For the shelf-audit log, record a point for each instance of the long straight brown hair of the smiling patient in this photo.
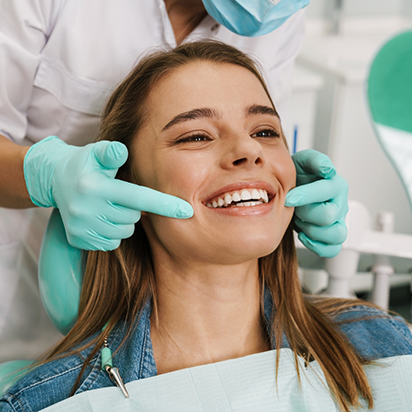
(117, 284)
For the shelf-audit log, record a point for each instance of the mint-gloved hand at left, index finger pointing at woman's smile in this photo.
(97, 210)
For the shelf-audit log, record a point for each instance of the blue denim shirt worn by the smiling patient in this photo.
(377, 336)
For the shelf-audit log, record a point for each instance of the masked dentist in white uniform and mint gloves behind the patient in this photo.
(59, 62)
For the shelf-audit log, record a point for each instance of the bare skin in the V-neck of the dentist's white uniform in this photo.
(184, 16)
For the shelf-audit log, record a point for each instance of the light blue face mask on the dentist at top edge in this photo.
(252, 17)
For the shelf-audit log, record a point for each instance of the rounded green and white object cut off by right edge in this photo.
(389, 95)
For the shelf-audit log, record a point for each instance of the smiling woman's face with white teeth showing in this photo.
(212, 138)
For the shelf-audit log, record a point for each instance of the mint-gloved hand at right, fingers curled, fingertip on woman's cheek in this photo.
(321, 202)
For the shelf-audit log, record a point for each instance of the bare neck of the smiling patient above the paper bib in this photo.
(208, 315)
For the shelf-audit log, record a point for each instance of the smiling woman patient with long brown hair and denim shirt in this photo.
(199, 124)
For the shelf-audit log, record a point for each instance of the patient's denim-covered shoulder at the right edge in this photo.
(374, 333)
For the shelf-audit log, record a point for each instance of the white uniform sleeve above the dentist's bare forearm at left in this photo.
(24, 29)
